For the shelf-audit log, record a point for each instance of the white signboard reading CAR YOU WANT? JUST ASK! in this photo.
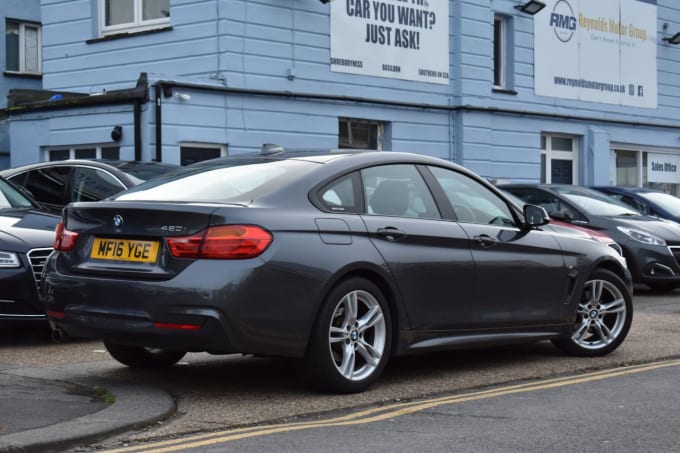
(400, 39)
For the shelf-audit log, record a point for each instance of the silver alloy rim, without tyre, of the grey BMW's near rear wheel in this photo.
(357, 335)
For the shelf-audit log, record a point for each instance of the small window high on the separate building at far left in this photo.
(22, 47)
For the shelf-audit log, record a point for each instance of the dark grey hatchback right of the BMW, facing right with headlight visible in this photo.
(651, 246)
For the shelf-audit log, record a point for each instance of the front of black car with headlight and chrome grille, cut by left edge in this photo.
(26, 238)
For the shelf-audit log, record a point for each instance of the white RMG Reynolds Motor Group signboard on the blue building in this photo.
(598, 51)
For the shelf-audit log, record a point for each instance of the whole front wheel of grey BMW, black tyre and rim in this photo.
(603, 316)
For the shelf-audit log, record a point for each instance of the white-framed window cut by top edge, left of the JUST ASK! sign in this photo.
(118, 16)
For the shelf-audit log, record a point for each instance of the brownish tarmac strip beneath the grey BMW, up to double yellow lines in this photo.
(222, 392)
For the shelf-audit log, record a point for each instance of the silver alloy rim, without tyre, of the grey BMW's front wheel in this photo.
(601, 315)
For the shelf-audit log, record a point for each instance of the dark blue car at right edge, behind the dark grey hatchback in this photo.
(647, 201)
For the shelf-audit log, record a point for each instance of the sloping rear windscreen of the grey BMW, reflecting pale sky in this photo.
(223, 184)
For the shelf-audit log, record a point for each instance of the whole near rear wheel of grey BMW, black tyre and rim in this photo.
(351, 340)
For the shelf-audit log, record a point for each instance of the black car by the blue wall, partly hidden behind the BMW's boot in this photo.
(55, 184)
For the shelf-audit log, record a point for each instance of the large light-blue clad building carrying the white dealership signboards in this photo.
(580, 92)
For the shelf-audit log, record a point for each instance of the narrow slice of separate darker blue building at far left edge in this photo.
(20, 52)
